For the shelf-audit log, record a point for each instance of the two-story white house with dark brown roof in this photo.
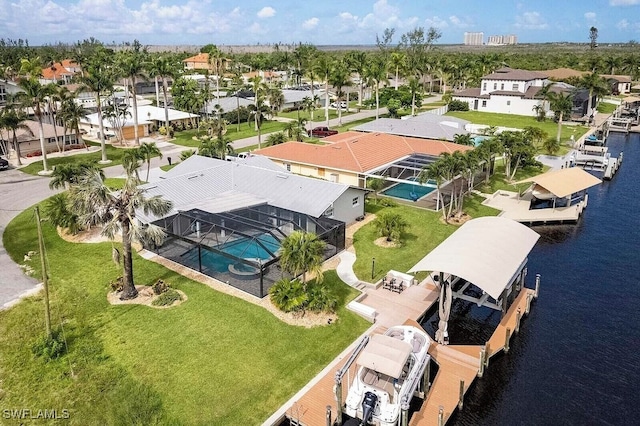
(506, 91)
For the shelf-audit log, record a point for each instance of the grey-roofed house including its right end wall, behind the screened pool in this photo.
(218, 186)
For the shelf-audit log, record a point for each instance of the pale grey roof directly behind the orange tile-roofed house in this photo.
(425, 126)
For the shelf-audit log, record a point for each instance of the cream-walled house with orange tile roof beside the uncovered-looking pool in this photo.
(353, 157)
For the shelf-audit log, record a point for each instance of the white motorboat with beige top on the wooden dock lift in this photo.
(390, 367)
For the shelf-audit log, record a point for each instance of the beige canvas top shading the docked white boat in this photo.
(385, 354)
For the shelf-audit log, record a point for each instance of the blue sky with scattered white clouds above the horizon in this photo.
(312, 21)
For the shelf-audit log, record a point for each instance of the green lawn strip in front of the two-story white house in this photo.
(520, 122)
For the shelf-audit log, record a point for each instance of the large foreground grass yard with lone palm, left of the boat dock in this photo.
(215, 359)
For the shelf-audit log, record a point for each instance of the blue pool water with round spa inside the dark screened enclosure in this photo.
(242, 248)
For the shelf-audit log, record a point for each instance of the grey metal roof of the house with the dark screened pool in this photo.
(200, 178)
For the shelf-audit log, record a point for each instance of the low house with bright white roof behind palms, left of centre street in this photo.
(150, 118)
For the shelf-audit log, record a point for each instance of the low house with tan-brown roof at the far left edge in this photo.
(30, 144)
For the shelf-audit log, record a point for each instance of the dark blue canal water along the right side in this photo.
(576, 360)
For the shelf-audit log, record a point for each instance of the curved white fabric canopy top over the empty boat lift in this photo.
(487, 252)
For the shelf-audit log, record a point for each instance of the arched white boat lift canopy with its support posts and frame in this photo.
(488, 252)
